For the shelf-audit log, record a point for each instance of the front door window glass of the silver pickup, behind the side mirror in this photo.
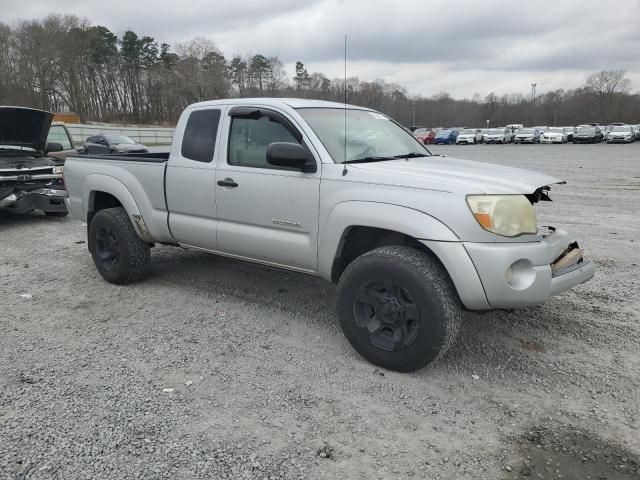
(250, 137)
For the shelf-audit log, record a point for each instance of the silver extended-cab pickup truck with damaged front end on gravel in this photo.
(342, 192)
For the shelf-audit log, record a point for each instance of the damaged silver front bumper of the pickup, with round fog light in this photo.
(510, 275)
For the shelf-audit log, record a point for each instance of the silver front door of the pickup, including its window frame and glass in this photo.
(266, 213)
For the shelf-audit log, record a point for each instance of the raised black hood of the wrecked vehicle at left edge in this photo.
(24, 127)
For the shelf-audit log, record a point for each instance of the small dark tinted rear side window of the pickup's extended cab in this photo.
(199, 139)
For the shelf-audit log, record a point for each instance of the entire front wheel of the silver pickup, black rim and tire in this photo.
(398, 308)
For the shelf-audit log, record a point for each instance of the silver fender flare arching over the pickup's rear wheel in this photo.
(97, 182)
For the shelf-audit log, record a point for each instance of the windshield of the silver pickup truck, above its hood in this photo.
(368, 134)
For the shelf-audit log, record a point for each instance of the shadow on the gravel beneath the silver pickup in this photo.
(499, 344)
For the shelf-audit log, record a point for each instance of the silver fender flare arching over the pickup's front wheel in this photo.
(398, 218)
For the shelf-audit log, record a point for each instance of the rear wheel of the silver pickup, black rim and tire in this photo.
(120, 255)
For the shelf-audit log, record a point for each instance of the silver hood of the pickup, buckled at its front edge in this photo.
(452, 174)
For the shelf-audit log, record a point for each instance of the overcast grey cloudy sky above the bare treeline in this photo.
(461, 47)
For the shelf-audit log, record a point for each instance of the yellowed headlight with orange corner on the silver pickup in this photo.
(506, 215)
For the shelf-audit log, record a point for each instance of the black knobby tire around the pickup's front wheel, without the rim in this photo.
(431, 289)
